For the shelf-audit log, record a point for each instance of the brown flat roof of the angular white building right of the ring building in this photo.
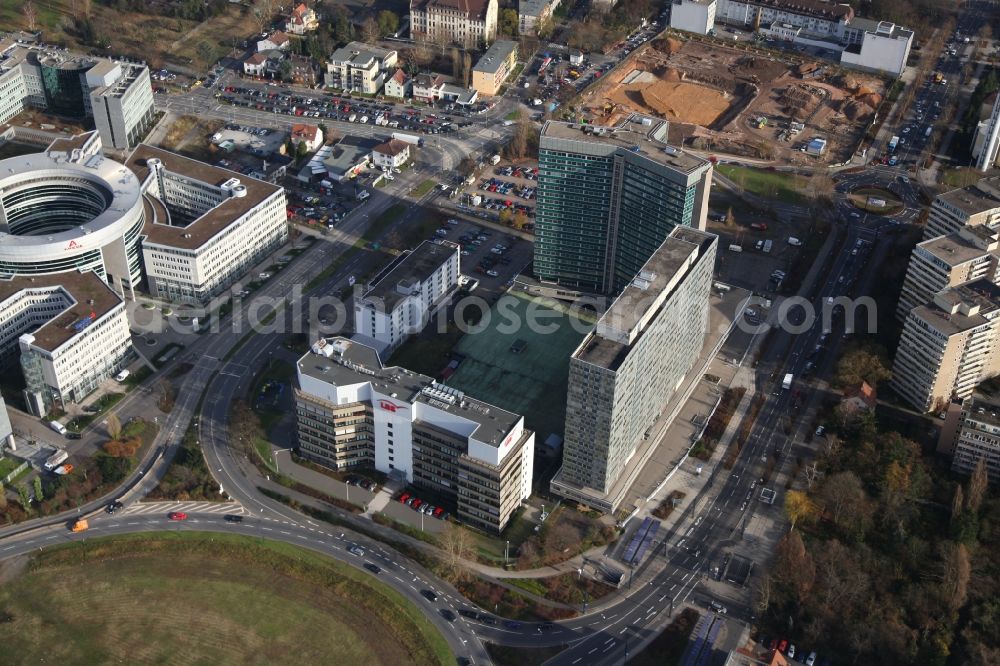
(215, 220)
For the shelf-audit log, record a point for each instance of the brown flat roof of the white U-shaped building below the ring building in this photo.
(91, 295)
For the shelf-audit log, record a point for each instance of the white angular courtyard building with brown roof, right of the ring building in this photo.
(205, 226)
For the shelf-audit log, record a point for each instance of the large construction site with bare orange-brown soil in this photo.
(740, 101)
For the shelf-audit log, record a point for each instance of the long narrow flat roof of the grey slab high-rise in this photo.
(632, 310)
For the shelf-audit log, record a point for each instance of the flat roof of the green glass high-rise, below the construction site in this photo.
(648, 141)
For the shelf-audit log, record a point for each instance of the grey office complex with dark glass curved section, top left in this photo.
(117, 95)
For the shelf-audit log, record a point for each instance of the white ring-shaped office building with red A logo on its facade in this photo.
(69, 209)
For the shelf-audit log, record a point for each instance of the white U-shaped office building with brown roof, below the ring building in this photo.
(71, 331)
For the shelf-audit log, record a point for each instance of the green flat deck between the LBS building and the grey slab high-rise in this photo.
(518, 367)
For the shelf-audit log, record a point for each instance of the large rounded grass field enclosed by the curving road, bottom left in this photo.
(187, 597)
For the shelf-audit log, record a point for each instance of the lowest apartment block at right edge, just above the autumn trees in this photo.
(971, 432)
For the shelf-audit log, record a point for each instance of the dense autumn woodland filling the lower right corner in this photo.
(888, 557)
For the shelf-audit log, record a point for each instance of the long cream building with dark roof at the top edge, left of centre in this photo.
(469, 23)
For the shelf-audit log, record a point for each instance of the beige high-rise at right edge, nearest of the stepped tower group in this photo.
(949, 345)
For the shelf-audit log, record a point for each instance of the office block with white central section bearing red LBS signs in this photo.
(354, 412)
